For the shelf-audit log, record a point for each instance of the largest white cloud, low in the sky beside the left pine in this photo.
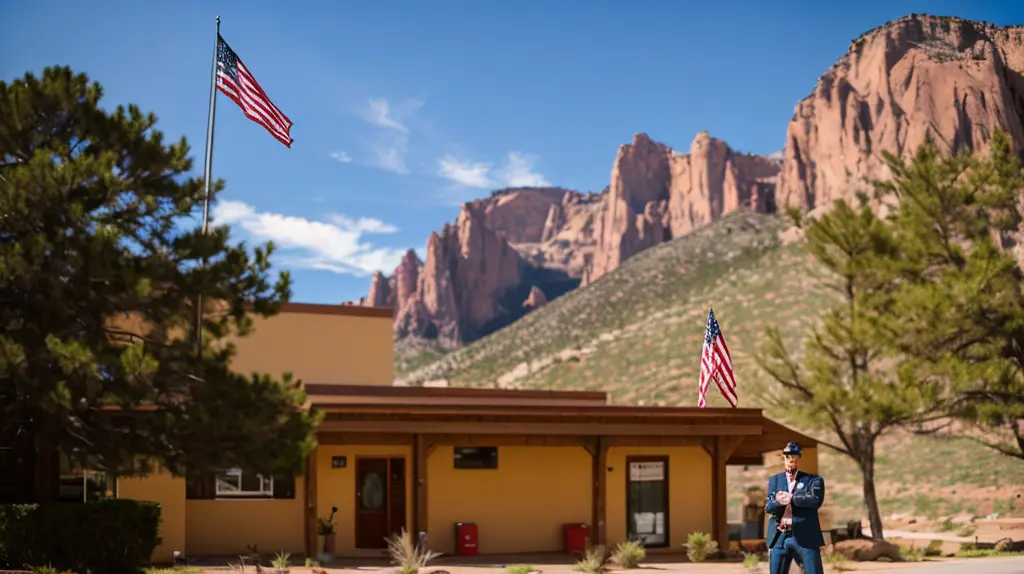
(336, 245)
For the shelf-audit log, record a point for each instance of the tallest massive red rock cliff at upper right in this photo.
(954, 79)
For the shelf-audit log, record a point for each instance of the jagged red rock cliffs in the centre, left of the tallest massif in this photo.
(542, 243)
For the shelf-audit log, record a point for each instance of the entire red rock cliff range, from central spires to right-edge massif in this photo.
(952, 79)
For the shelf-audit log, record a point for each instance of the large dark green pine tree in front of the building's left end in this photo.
(101, 269)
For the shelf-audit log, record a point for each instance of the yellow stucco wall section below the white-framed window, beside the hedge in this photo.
(228, 527)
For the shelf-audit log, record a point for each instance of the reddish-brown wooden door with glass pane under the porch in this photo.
(372, 518)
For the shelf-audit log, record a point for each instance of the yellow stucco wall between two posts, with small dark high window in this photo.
(520, 507)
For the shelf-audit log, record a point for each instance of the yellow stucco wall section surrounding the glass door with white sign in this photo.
(690, 492)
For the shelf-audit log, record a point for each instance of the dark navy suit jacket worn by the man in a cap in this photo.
(808, 495)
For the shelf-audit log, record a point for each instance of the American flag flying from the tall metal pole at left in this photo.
(235, 81)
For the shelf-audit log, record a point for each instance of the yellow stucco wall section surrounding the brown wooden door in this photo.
(336, 488)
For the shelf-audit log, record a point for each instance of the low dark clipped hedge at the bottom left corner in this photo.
(115, 537)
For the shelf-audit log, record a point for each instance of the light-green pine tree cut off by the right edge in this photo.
(960, 311)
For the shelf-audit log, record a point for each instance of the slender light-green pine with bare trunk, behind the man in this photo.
(848, 383)
